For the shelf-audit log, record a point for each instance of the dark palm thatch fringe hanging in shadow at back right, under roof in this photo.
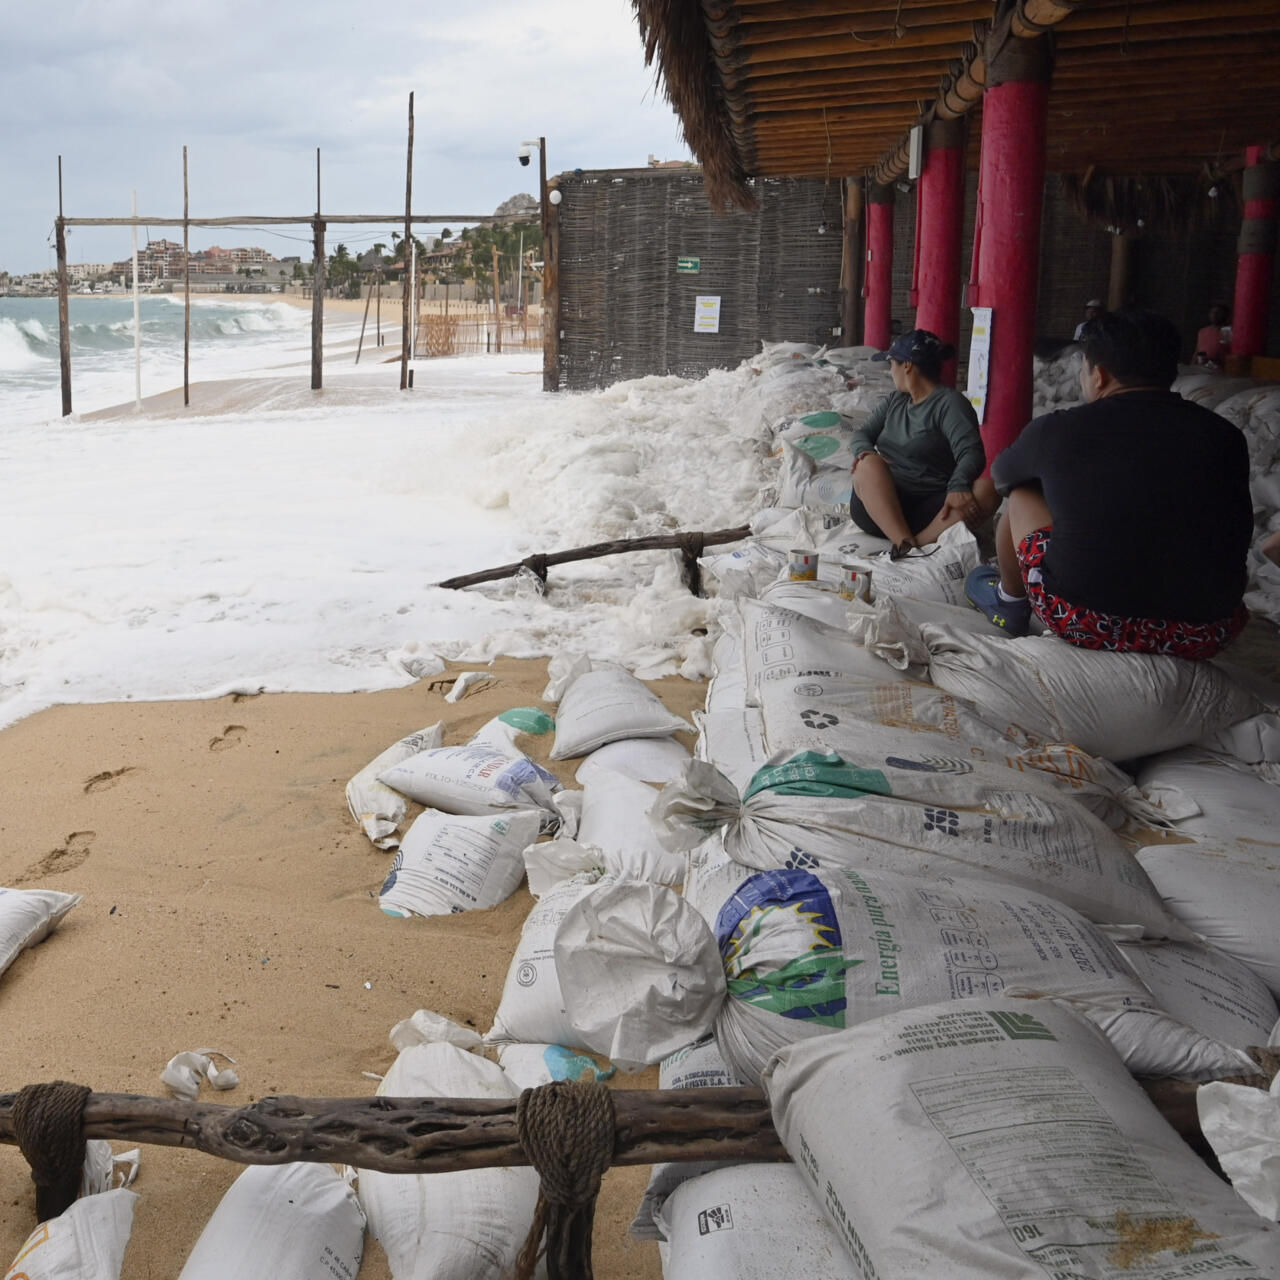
(1163, 205)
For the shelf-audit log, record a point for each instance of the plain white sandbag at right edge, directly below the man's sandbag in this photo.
(1212, 798)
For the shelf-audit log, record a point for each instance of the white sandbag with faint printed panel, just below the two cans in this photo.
(780, 644)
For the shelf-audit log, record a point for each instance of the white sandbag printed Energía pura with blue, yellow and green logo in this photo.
(807, 954)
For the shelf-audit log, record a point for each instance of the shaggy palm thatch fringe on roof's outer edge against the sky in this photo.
(675, 36)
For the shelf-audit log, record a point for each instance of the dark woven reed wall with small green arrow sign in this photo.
(627, 313)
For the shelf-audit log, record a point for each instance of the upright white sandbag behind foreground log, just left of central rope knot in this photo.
(468, 1226)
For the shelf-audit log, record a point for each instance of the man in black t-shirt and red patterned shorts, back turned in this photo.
(1130, 522)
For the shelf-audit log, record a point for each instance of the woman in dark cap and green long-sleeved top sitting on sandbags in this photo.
(920, 456)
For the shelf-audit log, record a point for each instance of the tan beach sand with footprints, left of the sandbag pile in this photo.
(228, 903)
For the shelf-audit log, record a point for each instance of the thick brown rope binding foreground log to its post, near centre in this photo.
(568, 1131)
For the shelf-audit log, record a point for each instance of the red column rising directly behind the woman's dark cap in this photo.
(938, 232)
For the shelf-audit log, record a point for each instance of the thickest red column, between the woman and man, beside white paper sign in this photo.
(1012, 194)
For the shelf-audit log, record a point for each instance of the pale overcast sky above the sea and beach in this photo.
(117, 88)
